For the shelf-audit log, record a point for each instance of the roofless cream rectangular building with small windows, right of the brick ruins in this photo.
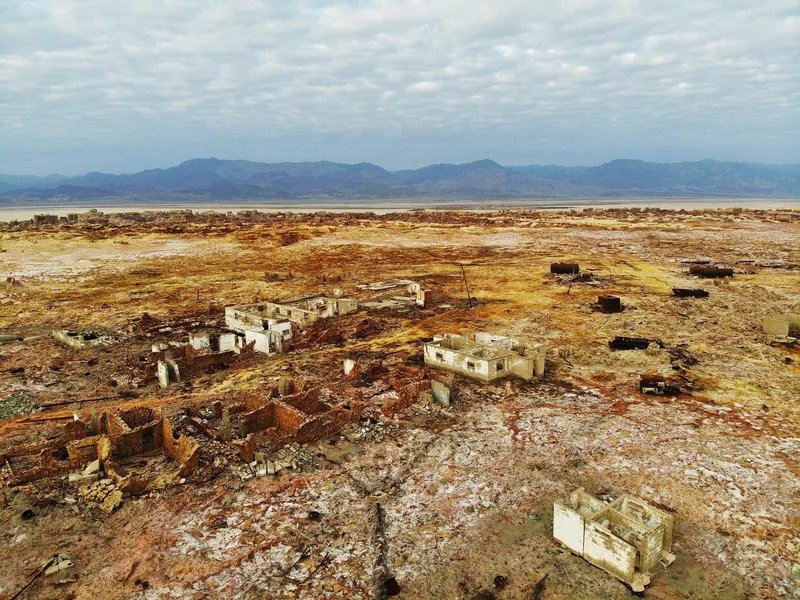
(485, 356)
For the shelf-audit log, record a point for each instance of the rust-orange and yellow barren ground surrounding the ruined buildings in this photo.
(466, 493)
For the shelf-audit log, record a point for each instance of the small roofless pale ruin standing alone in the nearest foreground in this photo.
(626, 537)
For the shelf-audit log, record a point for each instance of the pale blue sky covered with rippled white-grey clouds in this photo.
(113, 86)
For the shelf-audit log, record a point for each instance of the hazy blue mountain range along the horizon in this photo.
(214, 179)
